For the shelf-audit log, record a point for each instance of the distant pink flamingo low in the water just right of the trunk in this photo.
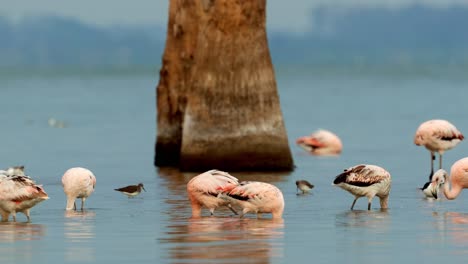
(321, 142)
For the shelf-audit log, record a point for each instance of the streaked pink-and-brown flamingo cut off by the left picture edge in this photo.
(19, 193)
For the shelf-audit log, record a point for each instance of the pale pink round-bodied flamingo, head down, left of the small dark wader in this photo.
(78, 183)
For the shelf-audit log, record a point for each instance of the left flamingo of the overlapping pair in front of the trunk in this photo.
(204, 188)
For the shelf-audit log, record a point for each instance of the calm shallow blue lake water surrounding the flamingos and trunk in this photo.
(109, 127)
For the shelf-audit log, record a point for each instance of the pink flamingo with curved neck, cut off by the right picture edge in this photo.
(458, 179)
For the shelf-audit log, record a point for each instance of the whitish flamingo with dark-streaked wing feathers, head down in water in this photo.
(366, 180)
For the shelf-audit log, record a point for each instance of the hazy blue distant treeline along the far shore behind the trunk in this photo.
(412, 35)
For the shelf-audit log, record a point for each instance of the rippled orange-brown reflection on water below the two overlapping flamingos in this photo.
(226, 239)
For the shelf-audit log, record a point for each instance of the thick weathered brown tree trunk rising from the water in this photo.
(217, 101)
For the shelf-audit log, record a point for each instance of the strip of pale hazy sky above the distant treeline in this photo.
(281, 14)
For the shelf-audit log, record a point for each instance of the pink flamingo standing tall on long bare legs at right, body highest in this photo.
(437, 136)
